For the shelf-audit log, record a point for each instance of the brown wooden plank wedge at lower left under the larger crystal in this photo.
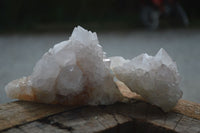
(20, 112)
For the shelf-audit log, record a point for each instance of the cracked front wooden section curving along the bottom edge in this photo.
(120, 117)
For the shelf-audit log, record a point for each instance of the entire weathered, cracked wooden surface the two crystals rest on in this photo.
(134, 115)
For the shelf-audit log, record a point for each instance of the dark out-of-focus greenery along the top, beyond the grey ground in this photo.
(32, 14)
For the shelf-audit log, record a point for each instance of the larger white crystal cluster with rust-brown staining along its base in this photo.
(76, 67)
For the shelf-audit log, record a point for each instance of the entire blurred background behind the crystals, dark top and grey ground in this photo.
(124, 27)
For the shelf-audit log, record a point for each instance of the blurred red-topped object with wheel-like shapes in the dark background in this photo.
(152, 10)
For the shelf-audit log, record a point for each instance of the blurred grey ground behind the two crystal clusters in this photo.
(19, 53)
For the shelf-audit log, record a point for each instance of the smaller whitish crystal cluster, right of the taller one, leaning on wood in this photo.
(155, 78)
